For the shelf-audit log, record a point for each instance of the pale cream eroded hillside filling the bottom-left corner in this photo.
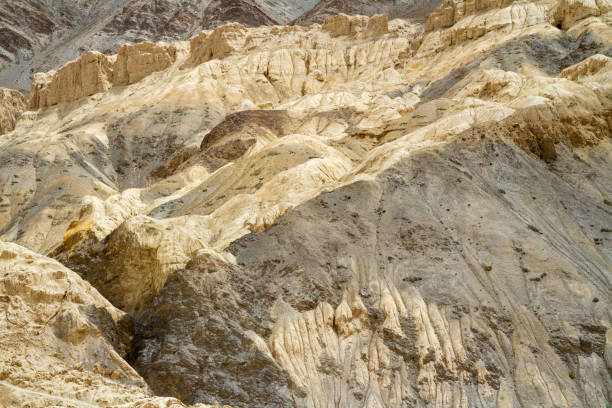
(75, 337)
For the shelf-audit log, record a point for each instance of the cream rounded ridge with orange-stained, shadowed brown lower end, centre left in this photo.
(146, 250)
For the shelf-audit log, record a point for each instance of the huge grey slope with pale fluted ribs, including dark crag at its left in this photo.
(356, 304)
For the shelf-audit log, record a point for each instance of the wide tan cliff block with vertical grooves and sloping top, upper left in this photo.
(87, 75)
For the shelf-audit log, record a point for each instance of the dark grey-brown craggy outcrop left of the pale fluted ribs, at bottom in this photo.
(250, 377)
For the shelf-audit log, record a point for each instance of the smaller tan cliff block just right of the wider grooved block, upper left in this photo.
(134, 62)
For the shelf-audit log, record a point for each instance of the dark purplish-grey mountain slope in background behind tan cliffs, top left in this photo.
(41, 35)
